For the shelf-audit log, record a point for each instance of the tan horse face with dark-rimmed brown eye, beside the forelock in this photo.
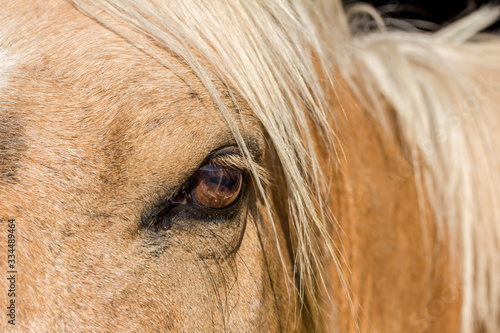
(102, 140)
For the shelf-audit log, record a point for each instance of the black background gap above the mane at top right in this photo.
(428, 14)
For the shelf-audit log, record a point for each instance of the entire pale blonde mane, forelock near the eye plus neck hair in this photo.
(443, 90)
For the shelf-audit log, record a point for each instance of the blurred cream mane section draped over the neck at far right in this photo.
(443, 91)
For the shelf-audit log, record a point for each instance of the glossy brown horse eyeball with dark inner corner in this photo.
(213, 186)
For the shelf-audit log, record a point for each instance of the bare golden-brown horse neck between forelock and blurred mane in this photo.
(400, 275)
